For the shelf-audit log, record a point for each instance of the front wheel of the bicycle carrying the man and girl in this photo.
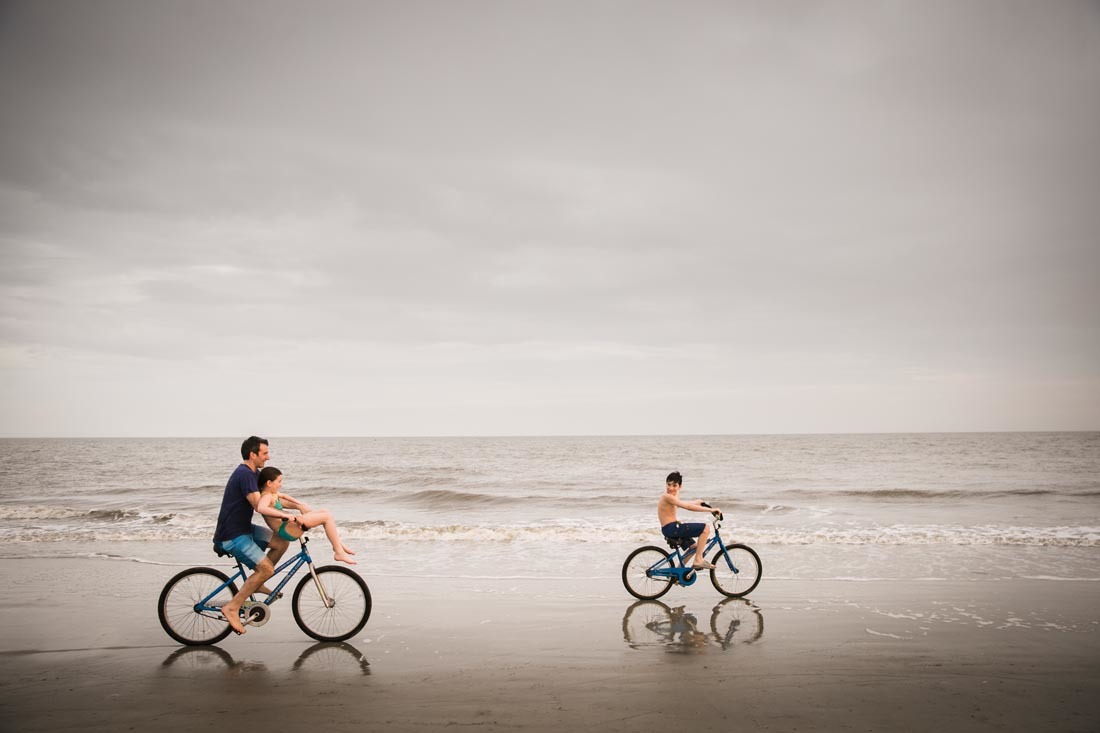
(350, 605)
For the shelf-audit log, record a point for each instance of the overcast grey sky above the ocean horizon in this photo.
(543, 218)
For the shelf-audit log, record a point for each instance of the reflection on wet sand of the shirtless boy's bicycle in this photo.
(653, 625)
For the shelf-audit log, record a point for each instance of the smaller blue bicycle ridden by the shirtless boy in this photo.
(650, 573)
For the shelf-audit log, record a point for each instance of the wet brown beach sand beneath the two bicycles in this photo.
(526, 654)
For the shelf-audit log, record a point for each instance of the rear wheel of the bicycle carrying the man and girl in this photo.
(180, 598)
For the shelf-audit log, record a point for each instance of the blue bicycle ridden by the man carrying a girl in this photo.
(332, 604)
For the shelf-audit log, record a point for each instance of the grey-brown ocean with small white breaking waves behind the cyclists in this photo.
(846, 508)
